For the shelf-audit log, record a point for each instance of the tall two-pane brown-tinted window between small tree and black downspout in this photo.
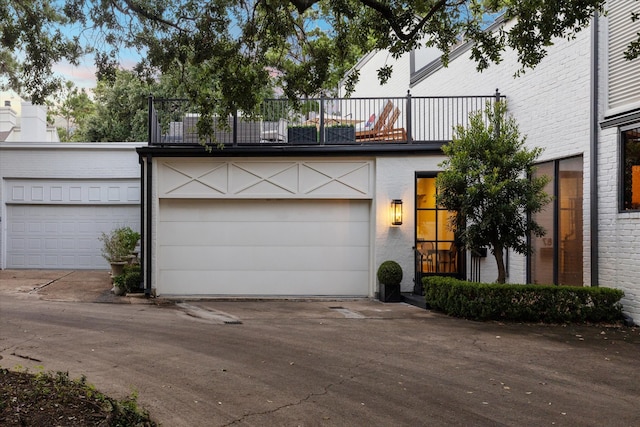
(558, 256)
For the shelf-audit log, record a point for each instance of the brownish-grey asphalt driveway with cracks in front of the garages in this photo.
(317, 362)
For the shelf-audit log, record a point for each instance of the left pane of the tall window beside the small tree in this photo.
(542, 258)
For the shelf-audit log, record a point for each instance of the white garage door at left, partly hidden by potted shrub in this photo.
(62, 236)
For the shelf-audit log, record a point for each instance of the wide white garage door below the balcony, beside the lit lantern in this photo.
(263, 247)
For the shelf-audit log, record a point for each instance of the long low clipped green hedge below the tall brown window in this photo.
(522, 303)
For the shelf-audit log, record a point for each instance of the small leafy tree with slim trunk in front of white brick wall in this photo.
(488, 180)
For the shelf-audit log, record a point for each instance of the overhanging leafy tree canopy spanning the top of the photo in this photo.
(228, 50)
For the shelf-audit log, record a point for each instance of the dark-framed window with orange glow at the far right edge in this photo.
(630, 199)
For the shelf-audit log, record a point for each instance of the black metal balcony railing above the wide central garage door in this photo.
(323, 121)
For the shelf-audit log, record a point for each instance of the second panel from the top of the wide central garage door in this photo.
(261, 234)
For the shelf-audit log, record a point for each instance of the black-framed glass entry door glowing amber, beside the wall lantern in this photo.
(436, 250)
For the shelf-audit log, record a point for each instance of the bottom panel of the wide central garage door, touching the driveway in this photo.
(265, 283)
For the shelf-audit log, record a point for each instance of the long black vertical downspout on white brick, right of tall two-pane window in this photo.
(593, 184)
